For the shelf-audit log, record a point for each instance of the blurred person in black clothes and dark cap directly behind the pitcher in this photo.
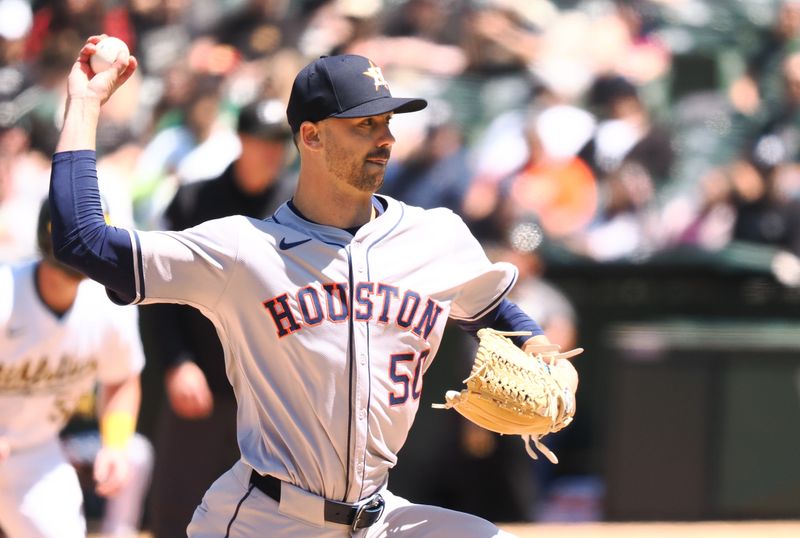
(196, 435)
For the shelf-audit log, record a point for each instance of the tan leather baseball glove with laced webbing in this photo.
(510, 391)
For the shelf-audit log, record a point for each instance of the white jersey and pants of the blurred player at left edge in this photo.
(46, 363)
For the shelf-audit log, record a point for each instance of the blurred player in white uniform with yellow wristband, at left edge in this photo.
(59, 337)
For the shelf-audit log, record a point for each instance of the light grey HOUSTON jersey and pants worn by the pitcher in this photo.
(327, 337)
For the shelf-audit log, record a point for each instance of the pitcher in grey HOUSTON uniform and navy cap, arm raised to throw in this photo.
(329, 312)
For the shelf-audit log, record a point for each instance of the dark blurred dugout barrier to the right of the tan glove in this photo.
(690, 384)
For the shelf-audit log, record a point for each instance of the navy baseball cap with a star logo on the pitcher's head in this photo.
(343, 86)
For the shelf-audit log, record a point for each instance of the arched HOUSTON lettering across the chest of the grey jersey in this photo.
(382, 303)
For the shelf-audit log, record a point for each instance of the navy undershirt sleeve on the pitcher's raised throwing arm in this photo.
(81, 237)
